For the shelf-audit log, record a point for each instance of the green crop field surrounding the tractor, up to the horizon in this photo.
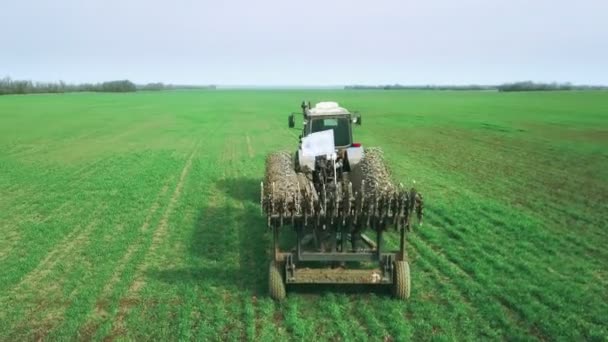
(136, 216)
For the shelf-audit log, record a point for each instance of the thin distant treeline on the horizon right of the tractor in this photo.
(506, 87)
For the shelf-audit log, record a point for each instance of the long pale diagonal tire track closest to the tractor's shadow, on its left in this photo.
(157, 237)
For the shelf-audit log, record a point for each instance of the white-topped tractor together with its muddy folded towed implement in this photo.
(331, 191)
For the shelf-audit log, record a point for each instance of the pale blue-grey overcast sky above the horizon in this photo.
(282, 42)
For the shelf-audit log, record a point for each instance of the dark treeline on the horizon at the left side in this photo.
(9, 86)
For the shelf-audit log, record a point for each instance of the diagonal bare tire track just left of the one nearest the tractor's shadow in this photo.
(99, 312)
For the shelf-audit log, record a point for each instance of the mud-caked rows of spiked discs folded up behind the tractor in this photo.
(289, 197)
